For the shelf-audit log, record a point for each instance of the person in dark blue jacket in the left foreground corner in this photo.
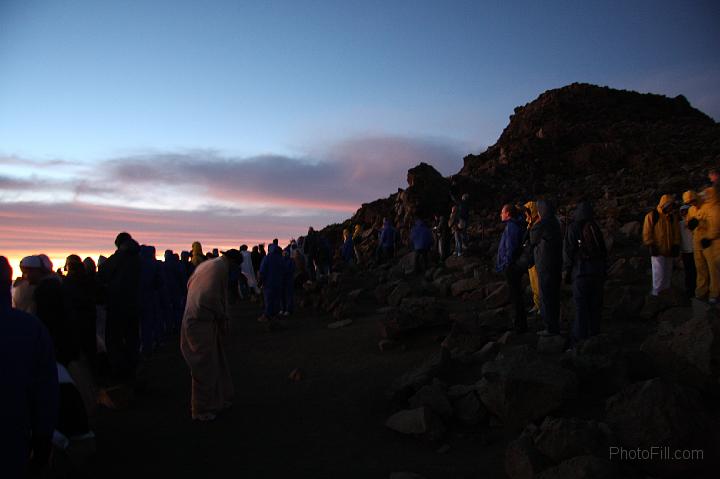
(29, 402)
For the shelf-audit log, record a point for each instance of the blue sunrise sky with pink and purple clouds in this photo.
(236, 122)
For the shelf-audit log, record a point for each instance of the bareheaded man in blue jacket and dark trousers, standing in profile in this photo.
(508, 253)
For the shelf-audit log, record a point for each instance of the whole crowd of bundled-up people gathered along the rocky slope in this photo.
(67, 335)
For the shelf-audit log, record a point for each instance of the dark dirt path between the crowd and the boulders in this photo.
(328, 425)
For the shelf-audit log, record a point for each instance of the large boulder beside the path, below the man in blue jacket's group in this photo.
(519, 387)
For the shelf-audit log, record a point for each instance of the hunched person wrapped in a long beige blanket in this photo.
(204, 324)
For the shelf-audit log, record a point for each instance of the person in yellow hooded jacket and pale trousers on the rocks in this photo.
(661, 235)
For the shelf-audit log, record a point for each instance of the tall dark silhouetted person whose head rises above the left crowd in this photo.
(120, 275)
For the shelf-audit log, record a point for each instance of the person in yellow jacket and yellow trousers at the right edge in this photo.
(703, 219)
